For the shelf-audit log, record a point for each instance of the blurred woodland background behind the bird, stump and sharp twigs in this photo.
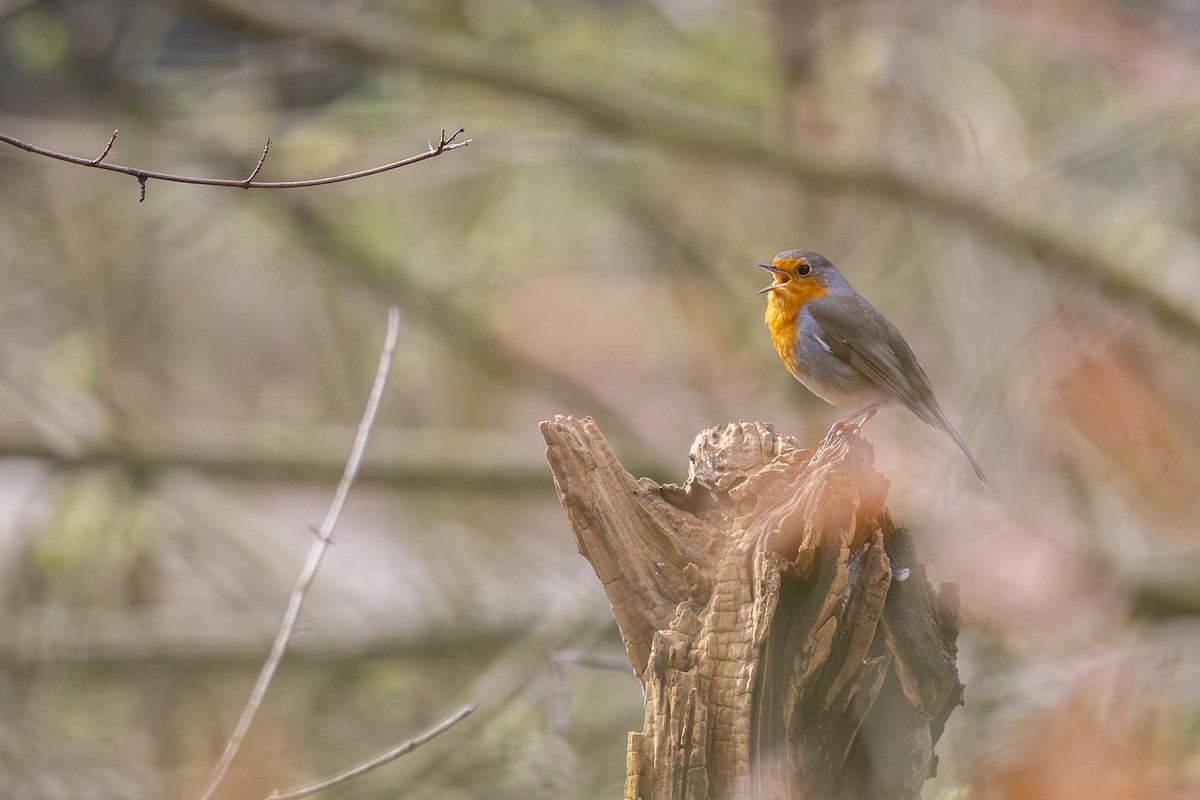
(1016, 184)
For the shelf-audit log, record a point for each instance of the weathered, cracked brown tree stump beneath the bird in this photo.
(779, 655)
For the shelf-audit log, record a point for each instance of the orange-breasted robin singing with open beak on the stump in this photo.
(843, 350)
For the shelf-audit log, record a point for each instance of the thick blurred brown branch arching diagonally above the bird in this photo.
(731, 137)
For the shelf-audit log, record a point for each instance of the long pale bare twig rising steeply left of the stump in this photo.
(315, 556)
